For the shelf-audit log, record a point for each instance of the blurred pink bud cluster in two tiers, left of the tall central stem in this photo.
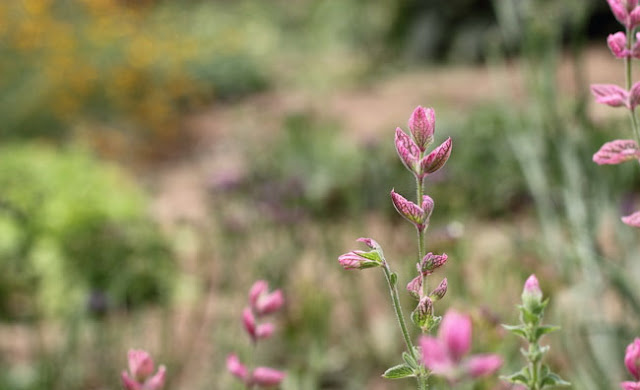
(261, 303)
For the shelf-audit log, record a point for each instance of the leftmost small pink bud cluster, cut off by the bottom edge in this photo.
(140, 375)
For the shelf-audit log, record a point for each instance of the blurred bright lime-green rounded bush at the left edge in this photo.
(74, 236)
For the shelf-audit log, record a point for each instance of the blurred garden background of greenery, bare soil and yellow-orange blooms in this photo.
(157, 157)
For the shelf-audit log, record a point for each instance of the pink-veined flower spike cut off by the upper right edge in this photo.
(625, 45)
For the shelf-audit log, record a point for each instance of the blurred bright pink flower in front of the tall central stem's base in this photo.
(444, 355)
